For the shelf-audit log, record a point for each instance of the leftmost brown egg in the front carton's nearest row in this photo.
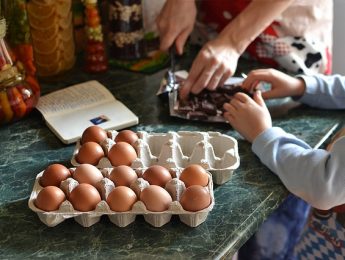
(50, 198)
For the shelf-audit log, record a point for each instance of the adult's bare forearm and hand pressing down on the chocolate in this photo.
(217, 60)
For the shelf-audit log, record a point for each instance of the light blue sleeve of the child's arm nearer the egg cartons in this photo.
(315, 175)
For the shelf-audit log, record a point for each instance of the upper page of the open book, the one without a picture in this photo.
(76, 97)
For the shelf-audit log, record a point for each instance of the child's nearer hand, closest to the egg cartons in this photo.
(250, 117)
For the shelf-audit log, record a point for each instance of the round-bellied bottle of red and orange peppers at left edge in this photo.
(17, 97)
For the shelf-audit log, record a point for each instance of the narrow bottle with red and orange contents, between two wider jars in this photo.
(95, 57)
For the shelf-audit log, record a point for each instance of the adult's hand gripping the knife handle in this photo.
(175, 23)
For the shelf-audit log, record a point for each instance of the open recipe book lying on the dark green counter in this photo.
(69, 111)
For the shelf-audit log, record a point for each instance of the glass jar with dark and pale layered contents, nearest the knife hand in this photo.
(126, 29)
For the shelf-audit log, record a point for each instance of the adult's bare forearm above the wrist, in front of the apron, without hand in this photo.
(252, 21)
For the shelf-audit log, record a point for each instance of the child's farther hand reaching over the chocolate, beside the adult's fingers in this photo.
(282, 85)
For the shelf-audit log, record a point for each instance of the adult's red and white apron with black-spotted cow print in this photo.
(291, 51)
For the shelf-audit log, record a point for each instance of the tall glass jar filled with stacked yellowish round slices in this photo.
(52, 39)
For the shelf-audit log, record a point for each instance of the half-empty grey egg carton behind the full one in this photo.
(216, 152)
